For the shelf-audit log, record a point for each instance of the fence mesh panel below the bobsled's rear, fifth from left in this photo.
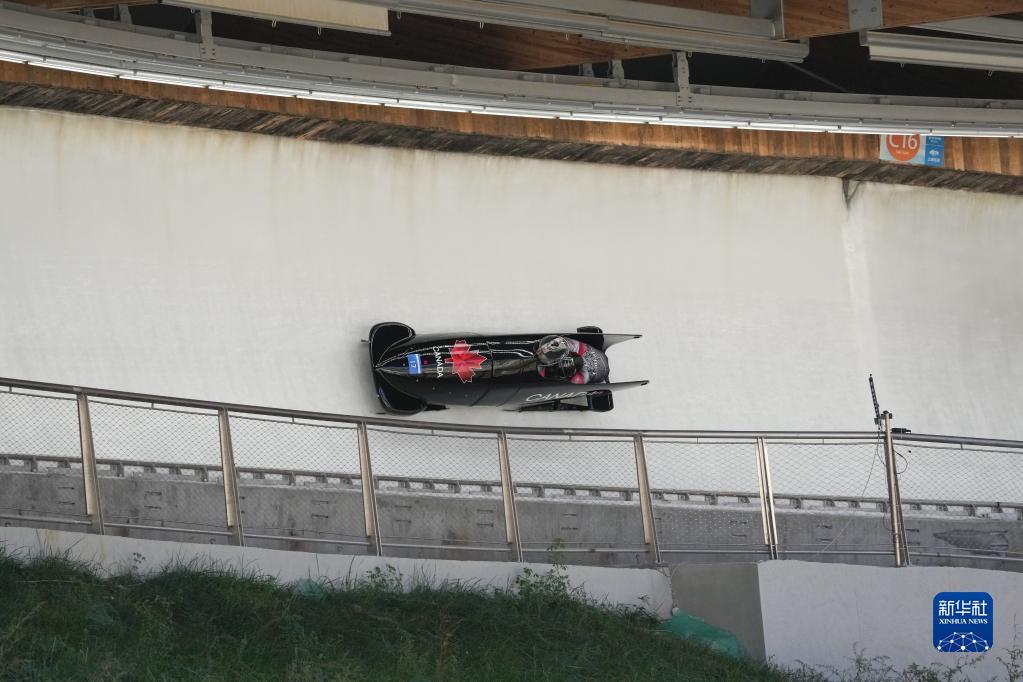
(576, 496)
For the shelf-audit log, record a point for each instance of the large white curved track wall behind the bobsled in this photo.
(245, 268)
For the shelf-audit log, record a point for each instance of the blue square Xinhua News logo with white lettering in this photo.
(964, 622)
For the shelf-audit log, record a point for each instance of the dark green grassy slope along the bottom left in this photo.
(60, 621)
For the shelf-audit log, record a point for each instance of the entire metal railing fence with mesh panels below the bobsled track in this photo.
(142, 466)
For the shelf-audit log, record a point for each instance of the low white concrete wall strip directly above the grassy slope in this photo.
(644, 588)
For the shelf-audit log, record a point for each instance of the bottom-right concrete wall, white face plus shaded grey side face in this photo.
(794, 613)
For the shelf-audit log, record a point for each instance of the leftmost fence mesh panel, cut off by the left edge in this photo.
(40, 458)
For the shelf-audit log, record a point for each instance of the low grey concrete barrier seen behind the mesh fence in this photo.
(576, 529)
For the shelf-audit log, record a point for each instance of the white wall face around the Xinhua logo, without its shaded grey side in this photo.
(819, 614)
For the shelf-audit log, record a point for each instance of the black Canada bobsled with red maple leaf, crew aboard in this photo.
(533, 372)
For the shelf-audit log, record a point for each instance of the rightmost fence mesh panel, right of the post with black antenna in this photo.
(961, 501)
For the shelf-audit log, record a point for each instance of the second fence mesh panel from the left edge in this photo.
(159, 468)
